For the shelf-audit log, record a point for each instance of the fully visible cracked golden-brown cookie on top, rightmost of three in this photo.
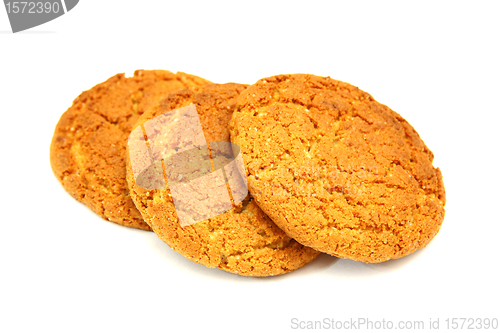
(336, 170)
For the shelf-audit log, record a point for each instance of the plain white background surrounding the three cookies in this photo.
(64, 269)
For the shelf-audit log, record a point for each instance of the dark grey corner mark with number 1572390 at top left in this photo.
(24, 15)
